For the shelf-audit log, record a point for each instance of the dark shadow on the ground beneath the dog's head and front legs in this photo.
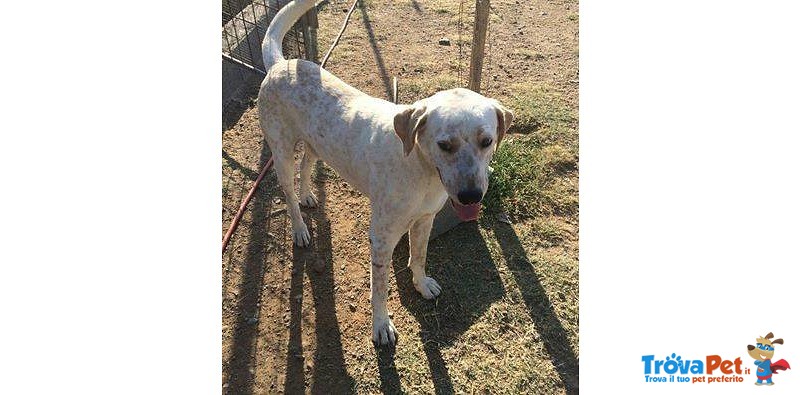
(470, 283)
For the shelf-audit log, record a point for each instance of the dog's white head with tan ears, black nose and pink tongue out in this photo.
(457, 131)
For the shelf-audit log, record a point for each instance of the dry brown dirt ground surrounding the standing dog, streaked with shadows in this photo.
(298, 320)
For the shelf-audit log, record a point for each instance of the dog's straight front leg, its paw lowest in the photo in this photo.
(383, 330)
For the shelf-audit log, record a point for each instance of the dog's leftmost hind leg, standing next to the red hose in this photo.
(283, 160)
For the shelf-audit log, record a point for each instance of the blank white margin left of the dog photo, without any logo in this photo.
(111, 197)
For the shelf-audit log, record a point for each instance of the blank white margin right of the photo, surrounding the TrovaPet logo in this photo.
(689, 187)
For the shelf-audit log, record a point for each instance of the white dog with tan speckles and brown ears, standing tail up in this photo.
(409, 159)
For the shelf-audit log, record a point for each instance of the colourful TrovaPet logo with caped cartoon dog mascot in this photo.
(675, 368)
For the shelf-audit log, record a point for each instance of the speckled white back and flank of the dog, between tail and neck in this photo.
(299, 101)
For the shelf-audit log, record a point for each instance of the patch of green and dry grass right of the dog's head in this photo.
(535, 167)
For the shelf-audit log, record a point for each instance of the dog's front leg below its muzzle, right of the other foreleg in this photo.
(418, 247)
